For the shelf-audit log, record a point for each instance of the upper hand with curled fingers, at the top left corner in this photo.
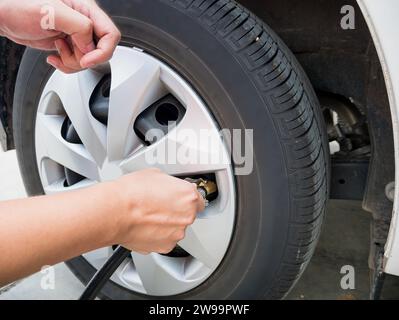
(67, 26)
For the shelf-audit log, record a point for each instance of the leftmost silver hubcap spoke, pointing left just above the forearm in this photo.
(72, 156)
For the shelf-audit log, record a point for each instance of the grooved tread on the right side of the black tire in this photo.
(296, 113)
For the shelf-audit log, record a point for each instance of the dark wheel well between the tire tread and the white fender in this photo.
(346, 72)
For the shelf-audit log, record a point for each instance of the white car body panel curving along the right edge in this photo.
(382, 19)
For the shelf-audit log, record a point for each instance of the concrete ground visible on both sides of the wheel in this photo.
(344, 241)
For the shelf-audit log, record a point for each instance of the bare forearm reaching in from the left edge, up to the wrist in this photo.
(47, 230)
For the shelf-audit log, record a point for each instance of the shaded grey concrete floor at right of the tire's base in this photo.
(344, 241)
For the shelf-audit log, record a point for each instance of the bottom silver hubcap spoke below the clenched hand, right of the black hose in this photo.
(160, 275)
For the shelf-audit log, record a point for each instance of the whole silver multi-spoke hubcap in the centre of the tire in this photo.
(106, 145)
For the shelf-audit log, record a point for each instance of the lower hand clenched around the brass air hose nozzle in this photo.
(156, 209)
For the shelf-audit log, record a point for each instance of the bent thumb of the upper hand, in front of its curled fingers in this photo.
(76, 25)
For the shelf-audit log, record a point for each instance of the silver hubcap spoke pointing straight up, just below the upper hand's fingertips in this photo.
(133, 89)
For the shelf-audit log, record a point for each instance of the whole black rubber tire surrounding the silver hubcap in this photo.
(249, 79)
